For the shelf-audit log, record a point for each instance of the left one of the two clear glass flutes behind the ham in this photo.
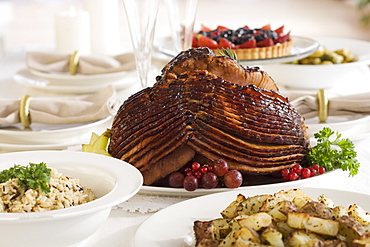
(141, 16)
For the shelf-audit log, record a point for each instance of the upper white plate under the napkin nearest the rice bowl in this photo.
(43, 134)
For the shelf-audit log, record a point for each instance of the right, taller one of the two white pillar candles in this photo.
(104, 26)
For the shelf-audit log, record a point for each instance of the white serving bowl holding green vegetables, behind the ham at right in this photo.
(313, 77)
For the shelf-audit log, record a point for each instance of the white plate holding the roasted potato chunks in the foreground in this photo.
(172, 226)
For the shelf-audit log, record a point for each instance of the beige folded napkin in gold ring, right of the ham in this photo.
(339, 105)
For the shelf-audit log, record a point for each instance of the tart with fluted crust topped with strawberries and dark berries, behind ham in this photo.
(247, 43)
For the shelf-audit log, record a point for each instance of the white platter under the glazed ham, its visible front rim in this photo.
(169, 191)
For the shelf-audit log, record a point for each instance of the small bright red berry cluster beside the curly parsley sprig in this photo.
(297, 172)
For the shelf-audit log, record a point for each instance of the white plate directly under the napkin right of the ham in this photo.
(354, 127)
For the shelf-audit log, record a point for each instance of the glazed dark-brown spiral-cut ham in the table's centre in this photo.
(195, 113)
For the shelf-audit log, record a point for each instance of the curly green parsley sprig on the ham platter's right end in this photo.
(334, 153)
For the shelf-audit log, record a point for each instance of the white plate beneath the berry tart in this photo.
(302, 47)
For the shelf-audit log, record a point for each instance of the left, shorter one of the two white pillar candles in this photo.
(73, 31)
